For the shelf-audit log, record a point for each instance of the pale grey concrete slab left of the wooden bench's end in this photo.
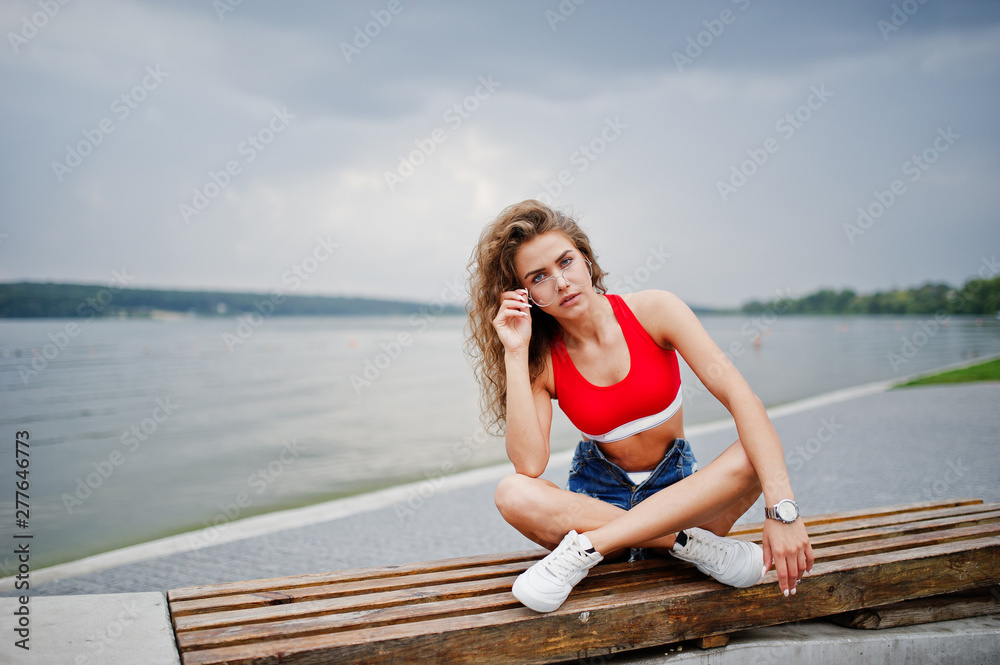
(104, 629)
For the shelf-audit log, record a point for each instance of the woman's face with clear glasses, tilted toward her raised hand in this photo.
(554, 271)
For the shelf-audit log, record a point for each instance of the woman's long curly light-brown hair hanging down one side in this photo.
(491, 272)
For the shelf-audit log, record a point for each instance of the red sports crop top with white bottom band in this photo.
(648, 395)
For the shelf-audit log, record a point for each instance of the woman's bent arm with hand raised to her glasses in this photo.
(529, 407)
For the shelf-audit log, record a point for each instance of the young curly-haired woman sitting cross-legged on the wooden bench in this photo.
(542, 328)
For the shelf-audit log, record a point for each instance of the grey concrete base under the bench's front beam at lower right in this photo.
(974, 641)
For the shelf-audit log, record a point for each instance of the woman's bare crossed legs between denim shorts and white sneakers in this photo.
(714, 498)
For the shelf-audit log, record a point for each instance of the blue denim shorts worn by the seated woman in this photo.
(592, 474)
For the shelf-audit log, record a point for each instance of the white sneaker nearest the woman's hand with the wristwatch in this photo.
(730, 561)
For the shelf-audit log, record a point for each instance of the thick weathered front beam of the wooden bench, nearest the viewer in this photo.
(634, 619)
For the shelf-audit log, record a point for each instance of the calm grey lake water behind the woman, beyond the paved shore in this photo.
(146, 428)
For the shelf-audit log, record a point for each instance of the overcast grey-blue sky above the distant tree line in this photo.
(719, 149)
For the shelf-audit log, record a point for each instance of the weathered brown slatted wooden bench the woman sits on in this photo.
(462, 611)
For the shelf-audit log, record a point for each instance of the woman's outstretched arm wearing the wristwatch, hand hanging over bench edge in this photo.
(672, 323)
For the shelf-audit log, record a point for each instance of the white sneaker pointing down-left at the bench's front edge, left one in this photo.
(545, 586)
